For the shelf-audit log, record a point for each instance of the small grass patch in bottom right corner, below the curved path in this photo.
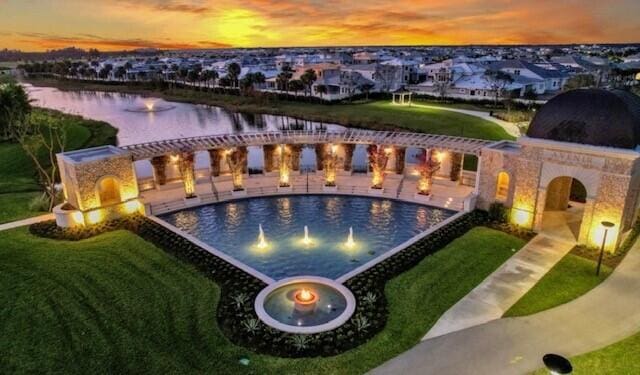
(619, 358)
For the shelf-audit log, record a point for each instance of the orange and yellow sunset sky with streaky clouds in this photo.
(33, 25)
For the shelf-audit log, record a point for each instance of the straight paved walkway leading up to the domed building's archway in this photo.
(504, 287)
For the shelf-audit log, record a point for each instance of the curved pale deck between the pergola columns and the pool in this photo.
(170, 197)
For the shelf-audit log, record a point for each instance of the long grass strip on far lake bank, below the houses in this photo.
(374, 115)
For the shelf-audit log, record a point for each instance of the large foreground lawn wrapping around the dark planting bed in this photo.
(117, 304)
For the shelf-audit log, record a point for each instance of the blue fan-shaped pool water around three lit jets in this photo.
(378, 224)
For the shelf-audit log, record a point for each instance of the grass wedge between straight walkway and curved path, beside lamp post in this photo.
(570, 278)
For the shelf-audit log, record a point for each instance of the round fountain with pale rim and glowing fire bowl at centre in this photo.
(307, 304)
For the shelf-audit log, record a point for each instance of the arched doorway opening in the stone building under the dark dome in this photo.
(564, 207)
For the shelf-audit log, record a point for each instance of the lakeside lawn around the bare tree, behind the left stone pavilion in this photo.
(18, 176)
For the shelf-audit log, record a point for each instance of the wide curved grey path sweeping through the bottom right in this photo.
(607, 314)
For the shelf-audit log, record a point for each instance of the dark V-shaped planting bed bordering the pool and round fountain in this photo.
(236, 315)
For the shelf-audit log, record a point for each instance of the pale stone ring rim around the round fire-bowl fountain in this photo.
(330, 325)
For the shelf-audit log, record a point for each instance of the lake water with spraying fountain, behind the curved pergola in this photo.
(183, 120)
